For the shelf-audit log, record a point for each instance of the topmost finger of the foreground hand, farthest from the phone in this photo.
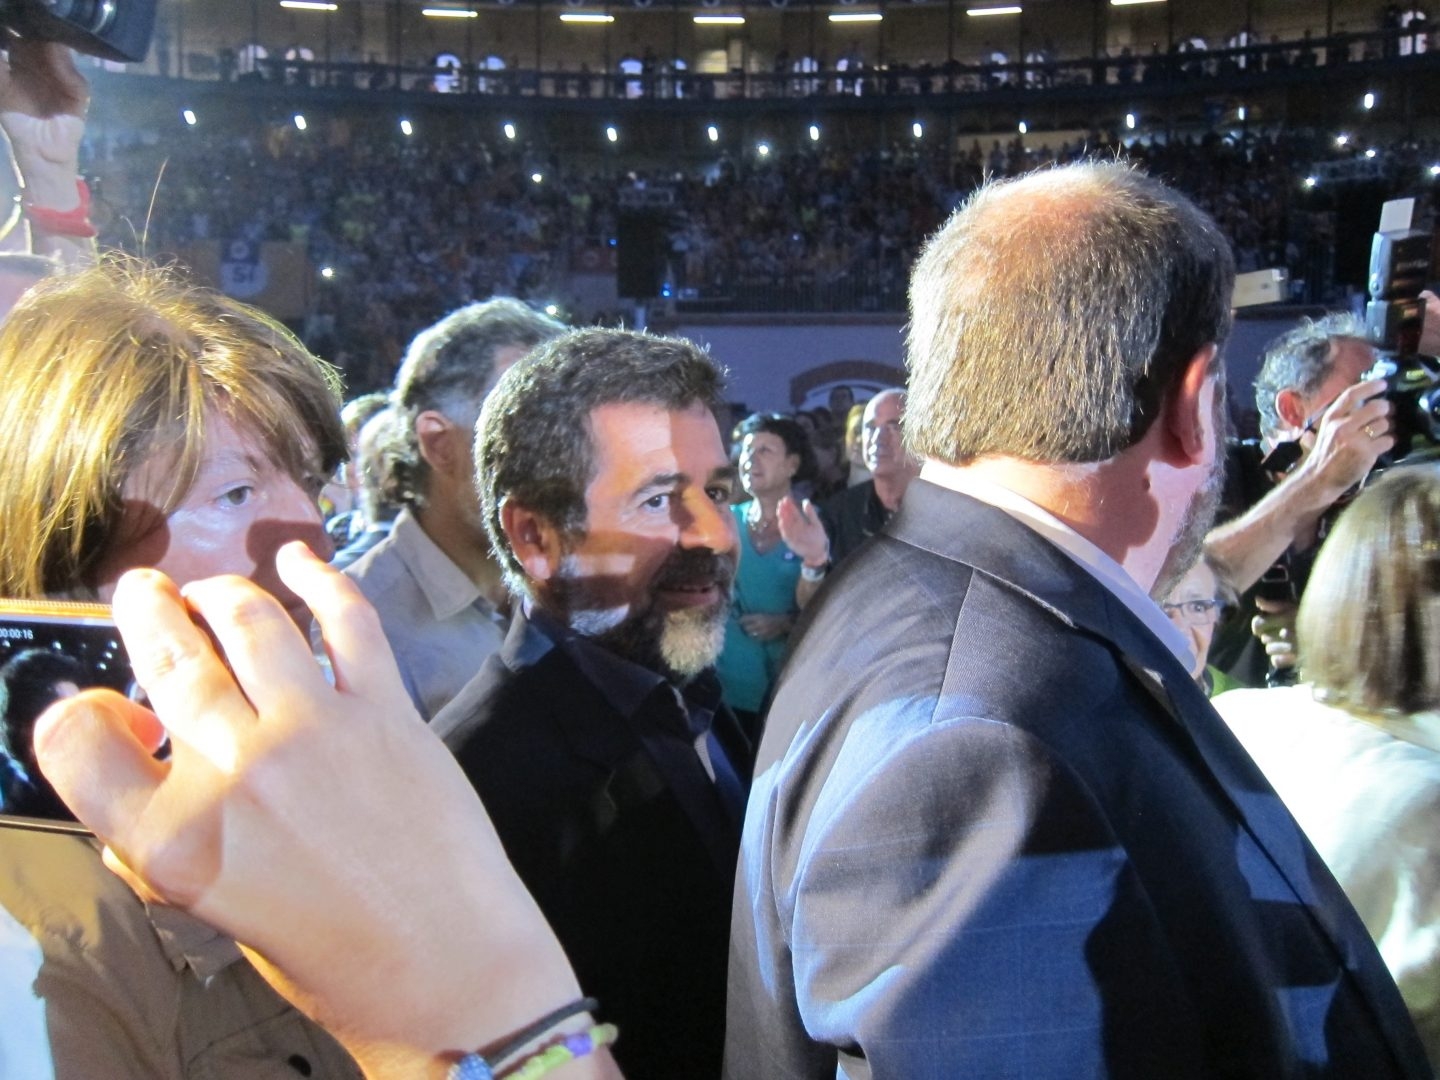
(358, 647)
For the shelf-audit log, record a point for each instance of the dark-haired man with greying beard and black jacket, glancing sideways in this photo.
(597, 737)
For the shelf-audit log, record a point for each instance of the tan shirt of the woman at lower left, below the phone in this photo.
(133, 993)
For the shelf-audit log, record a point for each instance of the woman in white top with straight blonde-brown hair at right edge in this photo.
(1354, 751)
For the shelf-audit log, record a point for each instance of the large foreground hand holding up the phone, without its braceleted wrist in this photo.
(323, 827)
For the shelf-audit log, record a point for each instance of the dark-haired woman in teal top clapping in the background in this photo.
(784, 557)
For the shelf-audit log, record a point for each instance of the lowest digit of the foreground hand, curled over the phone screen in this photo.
(97, 750)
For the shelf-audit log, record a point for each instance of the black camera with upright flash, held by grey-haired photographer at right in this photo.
(1395, 318)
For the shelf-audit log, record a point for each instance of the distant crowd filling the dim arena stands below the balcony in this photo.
(807, 231)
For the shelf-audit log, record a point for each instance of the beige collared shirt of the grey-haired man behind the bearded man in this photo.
(436, 618)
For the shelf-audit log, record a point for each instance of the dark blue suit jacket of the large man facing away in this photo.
(997, 832)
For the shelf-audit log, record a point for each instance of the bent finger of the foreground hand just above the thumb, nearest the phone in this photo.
(189, 686)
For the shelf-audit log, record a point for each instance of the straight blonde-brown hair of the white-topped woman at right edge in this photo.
(1370, 620)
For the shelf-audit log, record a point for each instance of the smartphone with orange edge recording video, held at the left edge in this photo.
(50, 650)
